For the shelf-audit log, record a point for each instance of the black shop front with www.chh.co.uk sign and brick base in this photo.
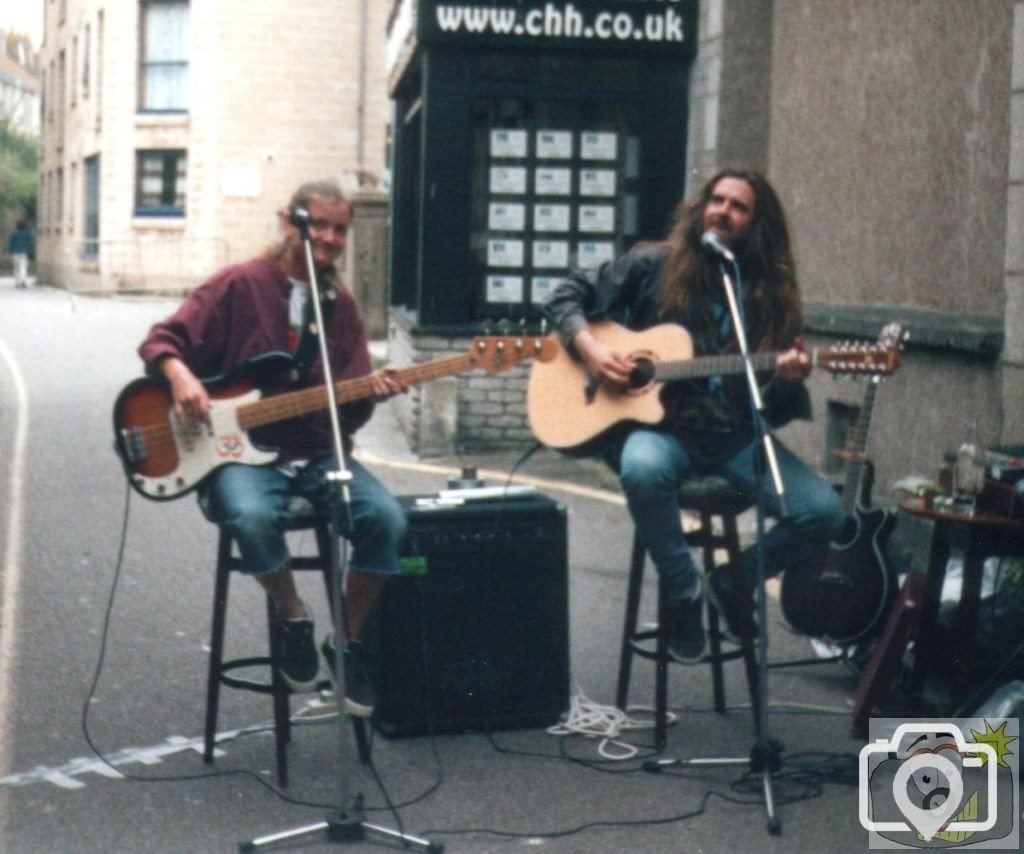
(528, 139)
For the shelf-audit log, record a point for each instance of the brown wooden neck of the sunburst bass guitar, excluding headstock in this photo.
(294, 404)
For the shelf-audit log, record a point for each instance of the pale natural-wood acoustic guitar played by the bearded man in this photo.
(570, 412)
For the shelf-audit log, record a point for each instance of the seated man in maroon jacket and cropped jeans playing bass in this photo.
(262, 307)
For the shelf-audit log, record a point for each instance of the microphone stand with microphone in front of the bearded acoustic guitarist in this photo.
(765, 754)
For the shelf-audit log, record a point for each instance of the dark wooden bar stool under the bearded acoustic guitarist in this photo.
(712, 499)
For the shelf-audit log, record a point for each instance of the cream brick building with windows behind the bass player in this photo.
(173, 131)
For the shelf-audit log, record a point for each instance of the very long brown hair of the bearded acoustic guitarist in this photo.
(770, 273)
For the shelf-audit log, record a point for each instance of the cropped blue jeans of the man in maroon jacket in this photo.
(252, 503)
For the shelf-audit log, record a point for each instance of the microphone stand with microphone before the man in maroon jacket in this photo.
(348, 824)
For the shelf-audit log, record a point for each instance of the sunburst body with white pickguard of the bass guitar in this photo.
(165, 460)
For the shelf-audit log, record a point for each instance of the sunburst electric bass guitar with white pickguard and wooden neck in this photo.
(165, 459)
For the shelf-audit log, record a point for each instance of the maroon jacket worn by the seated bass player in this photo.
(242, 313)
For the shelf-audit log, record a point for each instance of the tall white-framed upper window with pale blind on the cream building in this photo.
(163, 54)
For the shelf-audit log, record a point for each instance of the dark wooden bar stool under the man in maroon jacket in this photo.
(303, 518)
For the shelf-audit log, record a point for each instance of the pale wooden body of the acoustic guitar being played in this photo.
(571, 414)
